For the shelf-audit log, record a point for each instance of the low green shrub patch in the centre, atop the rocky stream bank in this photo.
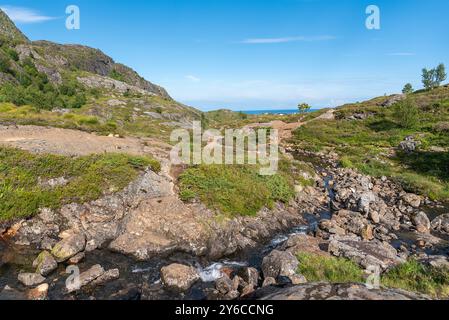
(234, 189)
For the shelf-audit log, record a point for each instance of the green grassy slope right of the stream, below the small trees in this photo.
(370, 143)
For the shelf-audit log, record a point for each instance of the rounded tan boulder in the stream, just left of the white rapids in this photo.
(179, 277)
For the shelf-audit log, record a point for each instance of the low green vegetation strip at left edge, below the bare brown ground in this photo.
(24, 176)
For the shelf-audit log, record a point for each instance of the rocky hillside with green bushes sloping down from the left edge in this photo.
(74, 86)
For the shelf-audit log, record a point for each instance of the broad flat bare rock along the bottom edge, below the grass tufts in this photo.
(327, 291)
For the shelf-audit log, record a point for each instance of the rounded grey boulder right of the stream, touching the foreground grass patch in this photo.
(279, 263)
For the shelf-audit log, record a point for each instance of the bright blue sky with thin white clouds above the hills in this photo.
(255, 54)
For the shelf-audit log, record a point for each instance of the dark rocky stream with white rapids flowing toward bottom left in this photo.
(143, 278)
